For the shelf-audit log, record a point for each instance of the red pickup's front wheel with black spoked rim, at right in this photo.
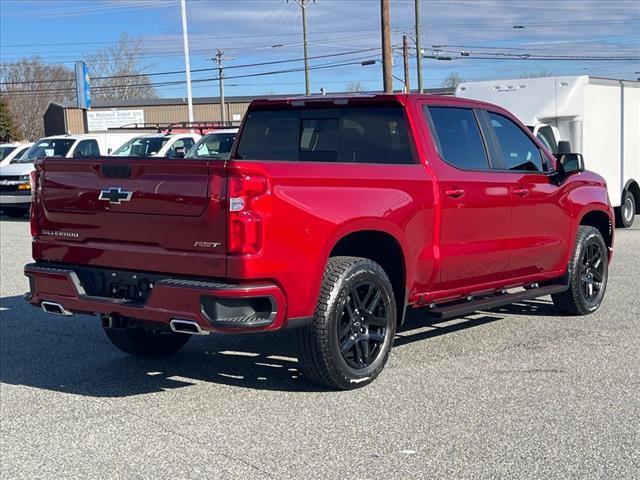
(588, 274)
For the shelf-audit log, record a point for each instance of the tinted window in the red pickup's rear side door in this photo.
(459, 140)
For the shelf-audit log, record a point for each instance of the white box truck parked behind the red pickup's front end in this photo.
(600, 117)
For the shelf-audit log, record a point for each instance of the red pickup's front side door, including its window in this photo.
(540, 224)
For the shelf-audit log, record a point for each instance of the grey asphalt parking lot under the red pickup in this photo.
(516, 392)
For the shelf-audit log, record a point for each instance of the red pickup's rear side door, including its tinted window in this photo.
(476, 212)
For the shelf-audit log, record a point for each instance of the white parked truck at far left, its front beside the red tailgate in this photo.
(15, 190)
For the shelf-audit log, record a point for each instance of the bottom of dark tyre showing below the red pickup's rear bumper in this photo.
(147, 342)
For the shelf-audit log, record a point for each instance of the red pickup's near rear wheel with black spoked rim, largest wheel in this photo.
(349, 341)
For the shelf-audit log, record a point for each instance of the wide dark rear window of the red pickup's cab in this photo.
(349, 134)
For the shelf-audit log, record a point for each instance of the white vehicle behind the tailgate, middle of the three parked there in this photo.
(170, 145)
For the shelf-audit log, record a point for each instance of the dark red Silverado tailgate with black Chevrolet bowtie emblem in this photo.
(149, 214)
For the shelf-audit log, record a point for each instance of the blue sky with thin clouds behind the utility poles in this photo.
(254, 31)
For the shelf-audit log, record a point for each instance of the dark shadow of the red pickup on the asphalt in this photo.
(72, 354)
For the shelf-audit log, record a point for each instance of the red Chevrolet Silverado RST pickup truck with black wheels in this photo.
(334, 215)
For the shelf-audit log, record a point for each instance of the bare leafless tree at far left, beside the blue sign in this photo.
(28, 86)
